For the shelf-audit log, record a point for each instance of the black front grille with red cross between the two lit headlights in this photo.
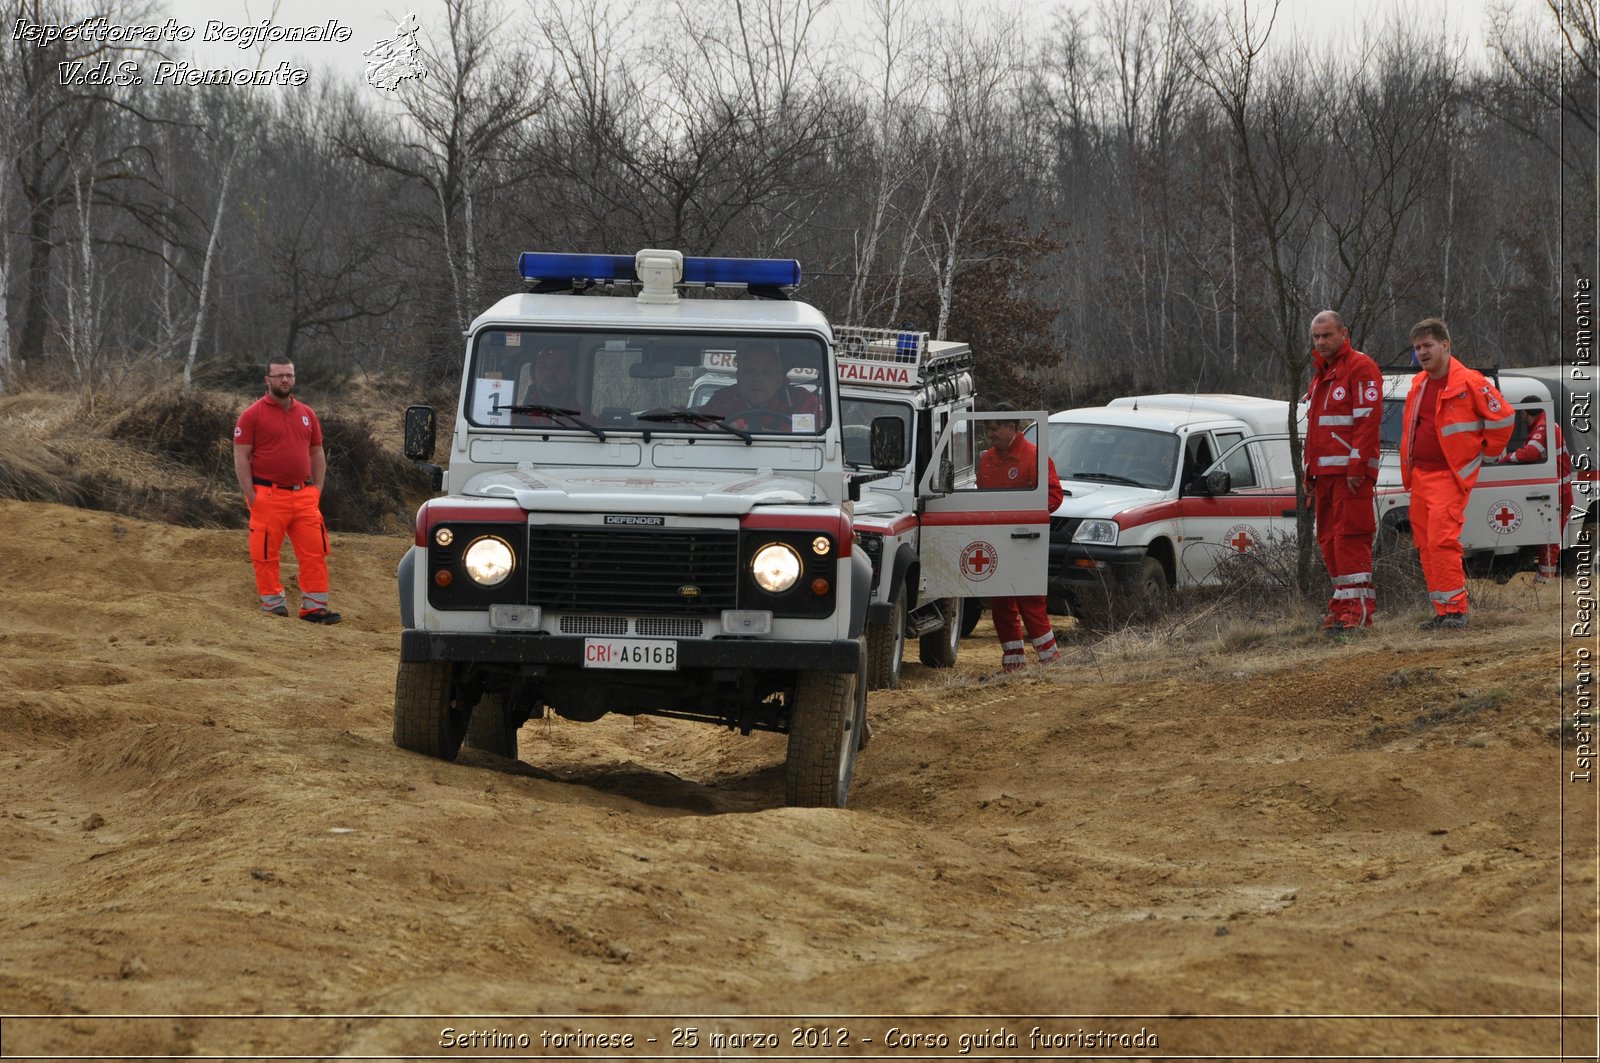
(633, 572)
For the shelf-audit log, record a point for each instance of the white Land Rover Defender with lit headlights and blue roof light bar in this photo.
(602, 547)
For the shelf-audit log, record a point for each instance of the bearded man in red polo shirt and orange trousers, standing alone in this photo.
(281, 468)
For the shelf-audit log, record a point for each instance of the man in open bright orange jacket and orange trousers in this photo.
(1454, 422)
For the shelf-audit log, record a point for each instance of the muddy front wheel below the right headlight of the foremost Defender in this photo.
(826, 724)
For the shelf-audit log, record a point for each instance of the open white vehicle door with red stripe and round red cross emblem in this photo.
(982, 542)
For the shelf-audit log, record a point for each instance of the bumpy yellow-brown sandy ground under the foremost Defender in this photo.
(1330, 848)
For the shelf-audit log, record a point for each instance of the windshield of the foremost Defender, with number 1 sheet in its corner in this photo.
(698, 383)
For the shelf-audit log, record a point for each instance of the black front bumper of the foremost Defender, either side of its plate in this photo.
(839, 656)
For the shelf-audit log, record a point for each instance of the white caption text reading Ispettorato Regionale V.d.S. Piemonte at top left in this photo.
(103, 33)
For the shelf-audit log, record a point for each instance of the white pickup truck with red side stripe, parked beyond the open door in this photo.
(1161, 489)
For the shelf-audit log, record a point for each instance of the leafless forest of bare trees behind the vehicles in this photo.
(1135, 195)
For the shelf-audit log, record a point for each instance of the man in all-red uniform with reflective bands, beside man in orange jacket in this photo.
(1345, 409)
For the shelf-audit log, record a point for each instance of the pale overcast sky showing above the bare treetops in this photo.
(375, 20)
